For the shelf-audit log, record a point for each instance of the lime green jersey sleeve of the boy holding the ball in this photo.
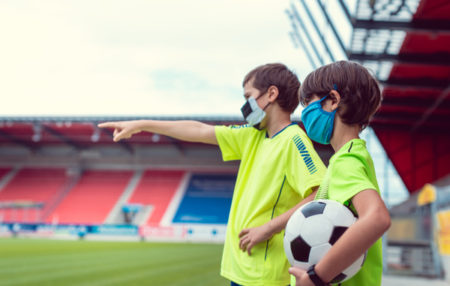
(349, 176)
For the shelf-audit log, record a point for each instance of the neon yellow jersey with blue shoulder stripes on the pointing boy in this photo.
(274, 175)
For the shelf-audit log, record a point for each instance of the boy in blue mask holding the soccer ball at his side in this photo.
(340, 99)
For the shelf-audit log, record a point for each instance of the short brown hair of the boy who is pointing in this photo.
(278, 75)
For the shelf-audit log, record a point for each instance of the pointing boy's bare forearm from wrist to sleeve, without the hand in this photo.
(186, 130)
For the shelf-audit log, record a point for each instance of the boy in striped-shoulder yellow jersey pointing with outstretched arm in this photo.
(279, 168)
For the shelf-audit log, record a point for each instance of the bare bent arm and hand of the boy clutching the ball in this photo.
(373, 222)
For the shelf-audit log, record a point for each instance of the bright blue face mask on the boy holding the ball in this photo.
(318, 122)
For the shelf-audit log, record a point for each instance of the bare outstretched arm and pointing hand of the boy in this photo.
(186, 130)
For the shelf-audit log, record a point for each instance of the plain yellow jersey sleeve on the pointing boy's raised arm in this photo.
(232, 140)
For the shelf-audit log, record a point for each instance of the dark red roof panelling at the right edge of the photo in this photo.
(413, 123)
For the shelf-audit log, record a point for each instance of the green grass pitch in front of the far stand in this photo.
(55, 262)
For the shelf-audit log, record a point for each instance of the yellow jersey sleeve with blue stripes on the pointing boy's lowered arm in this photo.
(305, 169)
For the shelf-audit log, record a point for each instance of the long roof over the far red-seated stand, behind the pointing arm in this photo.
(82, 133)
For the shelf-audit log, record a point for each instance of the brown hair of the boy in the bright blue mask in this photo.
(358, 88)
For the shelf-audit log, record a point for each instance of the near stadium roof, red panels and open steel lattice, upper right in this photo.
(407, 45)
